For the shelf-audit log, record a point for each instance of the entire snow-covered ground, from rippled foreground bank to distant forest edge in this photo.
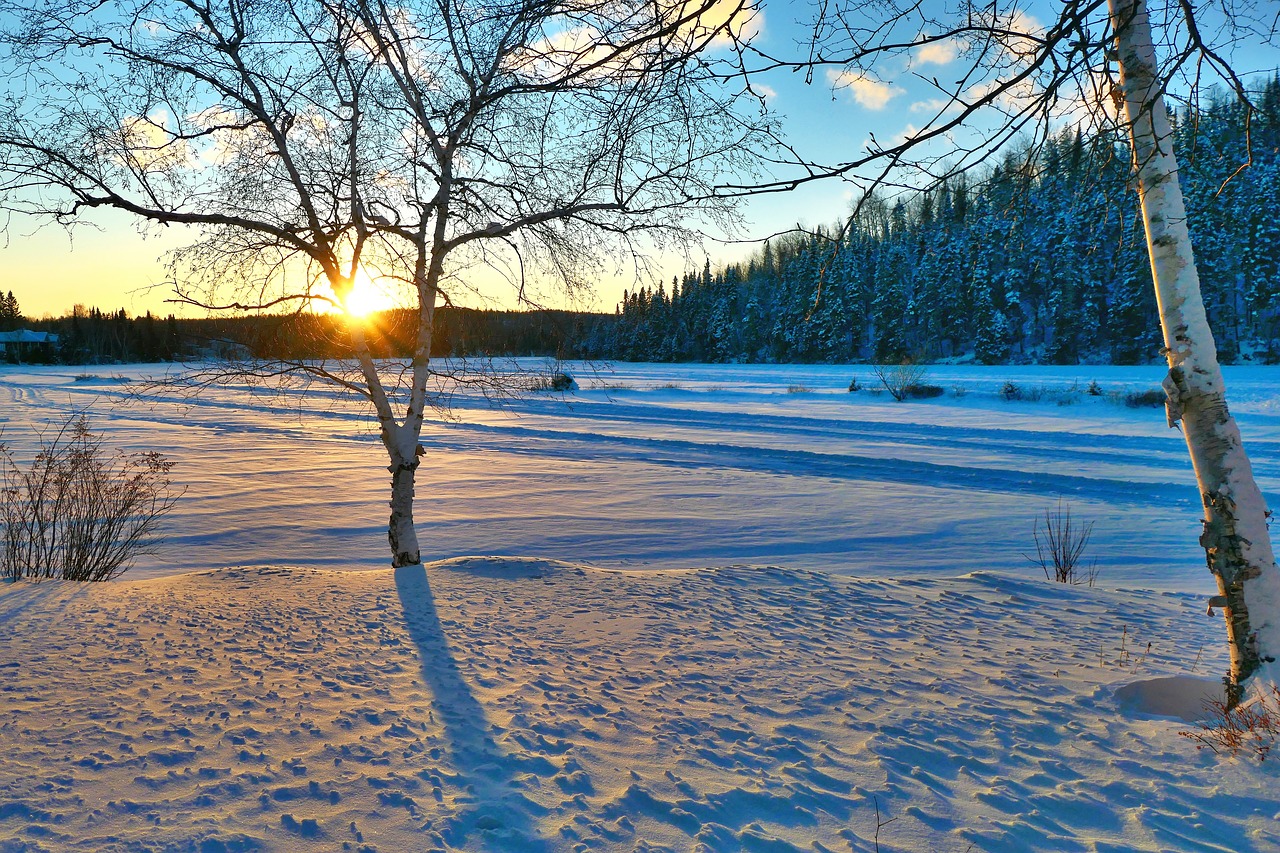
(720, 609)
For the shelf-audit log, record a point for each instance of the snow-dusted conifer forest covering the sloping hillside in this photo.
(1043, 259)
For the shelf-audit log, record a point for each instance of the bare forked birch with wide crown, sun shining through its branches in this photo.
(313, 144)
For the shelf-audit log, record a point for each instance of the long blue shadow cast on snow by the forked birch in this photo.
(491, 806)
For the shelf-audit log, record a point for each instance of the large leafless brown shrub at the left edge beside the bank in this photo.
(80, 513)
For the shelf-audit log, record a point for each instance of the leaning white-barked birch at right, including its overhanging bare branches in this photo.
(1023, 80)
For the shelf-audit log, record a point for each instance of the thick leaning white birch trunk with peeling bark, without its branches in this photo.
(1236, 540)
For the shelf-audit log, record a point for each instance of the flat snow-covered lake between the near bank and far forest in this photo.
(671, 467)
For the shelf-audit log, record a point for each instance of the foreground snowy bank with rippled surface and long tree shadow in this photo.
(525, 705)
